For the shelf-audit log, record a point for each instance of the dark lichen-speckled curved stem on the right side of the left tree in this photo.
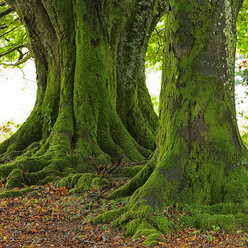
(133, 100)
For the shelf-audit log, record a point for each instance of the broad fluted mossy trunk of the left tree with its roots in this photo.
(74, 122)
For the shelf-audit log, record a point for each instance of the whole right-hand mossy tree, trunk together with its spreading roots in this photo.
(200, 158)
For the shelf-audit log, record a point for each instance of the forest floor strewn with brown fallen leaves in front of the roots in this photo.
(51, 217)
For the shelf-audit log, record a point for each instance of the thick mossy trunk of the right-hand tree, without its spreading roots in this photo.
(199, 153)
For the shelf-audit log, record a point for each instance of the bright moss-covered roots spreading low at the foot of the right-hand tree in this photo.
(143, 221)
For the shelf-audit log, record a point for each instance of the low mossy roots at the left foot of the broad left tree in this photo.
(40, 170)
